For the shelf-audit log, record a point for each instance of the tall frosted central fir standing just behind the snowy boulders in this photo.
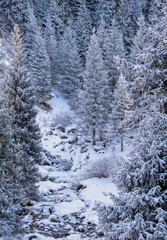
(94, 99)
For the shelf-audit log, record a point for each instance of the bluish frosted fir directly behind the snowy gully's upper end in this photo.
(69, 68)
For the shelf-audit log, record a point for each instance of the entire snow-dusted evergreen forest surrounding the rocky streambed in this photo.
(109, 60)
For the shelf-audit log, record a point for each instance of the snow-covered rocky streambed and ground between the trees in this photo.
(67, 208)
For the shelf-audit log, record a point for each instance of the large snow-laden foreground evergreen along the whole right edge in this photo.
(140, 210)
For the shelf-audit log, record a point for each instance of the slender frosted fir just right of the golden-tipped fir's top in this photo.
(38, 59)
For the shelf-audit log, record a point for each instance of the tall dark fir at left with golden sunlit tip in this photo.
(25, 132)
